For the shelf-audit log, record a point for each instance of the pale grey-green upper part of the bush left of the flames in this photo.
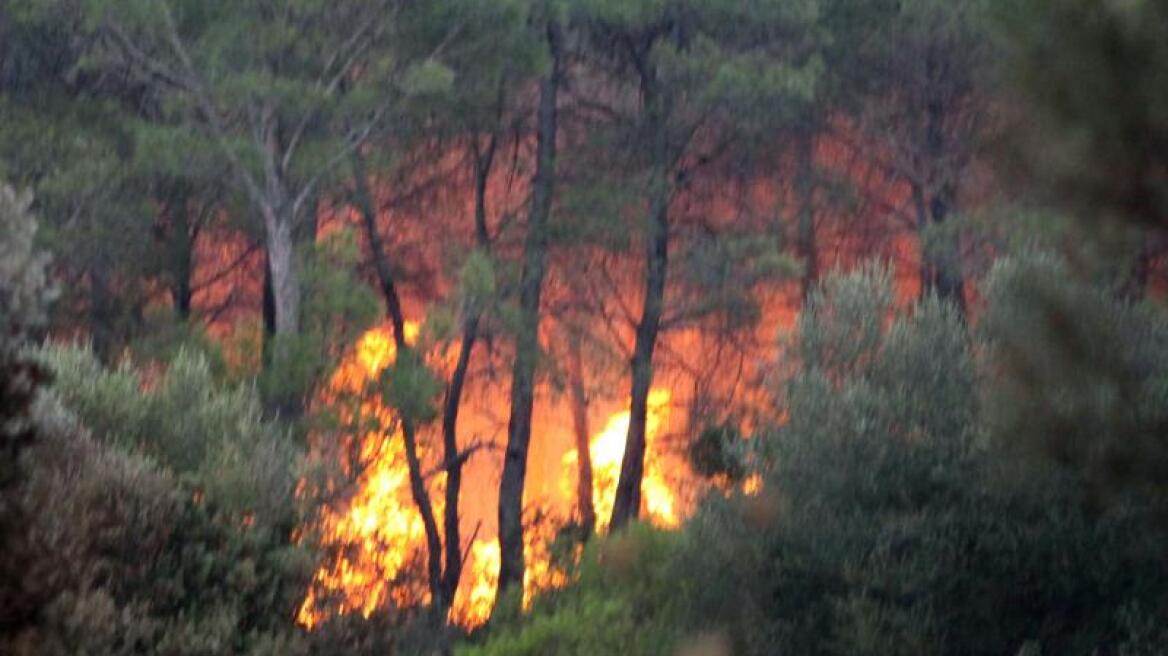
(223, 445)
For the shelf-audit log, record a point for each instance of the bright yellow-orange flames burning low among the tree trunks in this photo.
(376, 534)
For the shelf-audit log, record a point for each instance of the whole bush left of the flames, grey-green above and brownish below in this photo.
(168, 531)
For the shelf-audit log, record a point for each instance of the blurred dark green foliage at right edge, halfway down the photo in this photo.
(1081, 378)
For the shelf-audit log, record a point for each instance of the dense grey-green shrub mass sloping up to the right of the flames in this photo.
(889, 522)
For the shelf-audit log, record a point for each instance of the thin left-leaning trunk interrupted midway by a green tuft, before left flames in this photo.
(440, 598)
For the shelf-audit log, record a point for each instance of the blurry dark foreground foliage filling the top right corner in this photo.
(1093, 76)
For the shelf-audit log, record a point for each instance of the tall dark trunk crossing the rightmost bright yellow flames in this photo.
(628, 504)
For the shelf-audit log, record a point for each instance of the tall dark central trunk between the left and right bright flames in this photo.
(519, 429)
